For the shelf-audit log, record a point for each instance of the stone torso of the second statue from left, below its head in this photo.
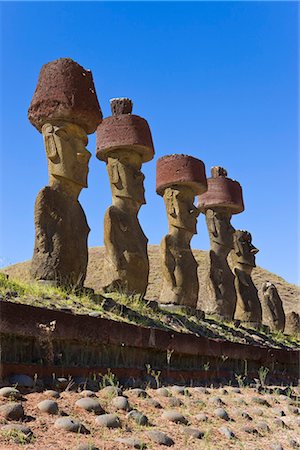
(126, 259)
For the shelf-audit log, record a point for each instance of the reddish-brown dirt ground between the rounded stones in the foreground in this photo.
(47, 437)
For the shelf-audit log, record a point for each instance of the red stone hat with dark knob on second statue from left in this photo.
(124, 131)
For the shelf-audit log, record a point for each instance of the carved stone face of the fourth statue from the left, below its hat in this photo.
(219, 227)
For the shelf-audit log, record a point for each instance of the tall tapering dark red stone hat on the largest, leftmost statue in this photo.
(65, 91)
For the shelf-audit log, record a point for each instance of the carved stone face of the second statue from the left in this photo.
(126, 178)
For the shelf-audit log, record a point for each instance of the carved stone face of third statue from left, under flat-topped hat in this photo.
(182, 213)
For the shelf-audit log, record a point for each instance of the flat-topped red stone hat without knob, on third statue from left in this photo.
(180, 170)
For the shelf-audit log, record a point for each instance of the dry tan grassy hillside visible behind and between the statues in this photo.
(289, 293)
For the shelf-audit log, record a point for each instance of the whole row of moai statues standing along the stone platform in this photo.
(65, 109)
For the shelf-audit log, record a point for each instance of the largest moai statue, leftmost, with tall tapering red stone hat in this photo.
(64, 108)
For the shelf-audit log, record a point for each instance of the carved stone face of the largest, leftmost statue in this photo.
(65, 148)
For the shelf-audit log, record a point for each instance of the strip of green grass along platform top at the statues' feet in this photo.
(136, 310)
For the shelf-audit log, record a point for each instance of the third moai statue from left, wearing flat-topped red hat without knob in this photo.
(178, 179)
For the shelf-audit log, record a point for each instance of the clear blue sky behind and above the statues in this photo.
(214, 80)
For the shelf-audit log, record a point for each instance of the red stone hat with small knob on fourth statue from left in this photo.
(222, 192)
